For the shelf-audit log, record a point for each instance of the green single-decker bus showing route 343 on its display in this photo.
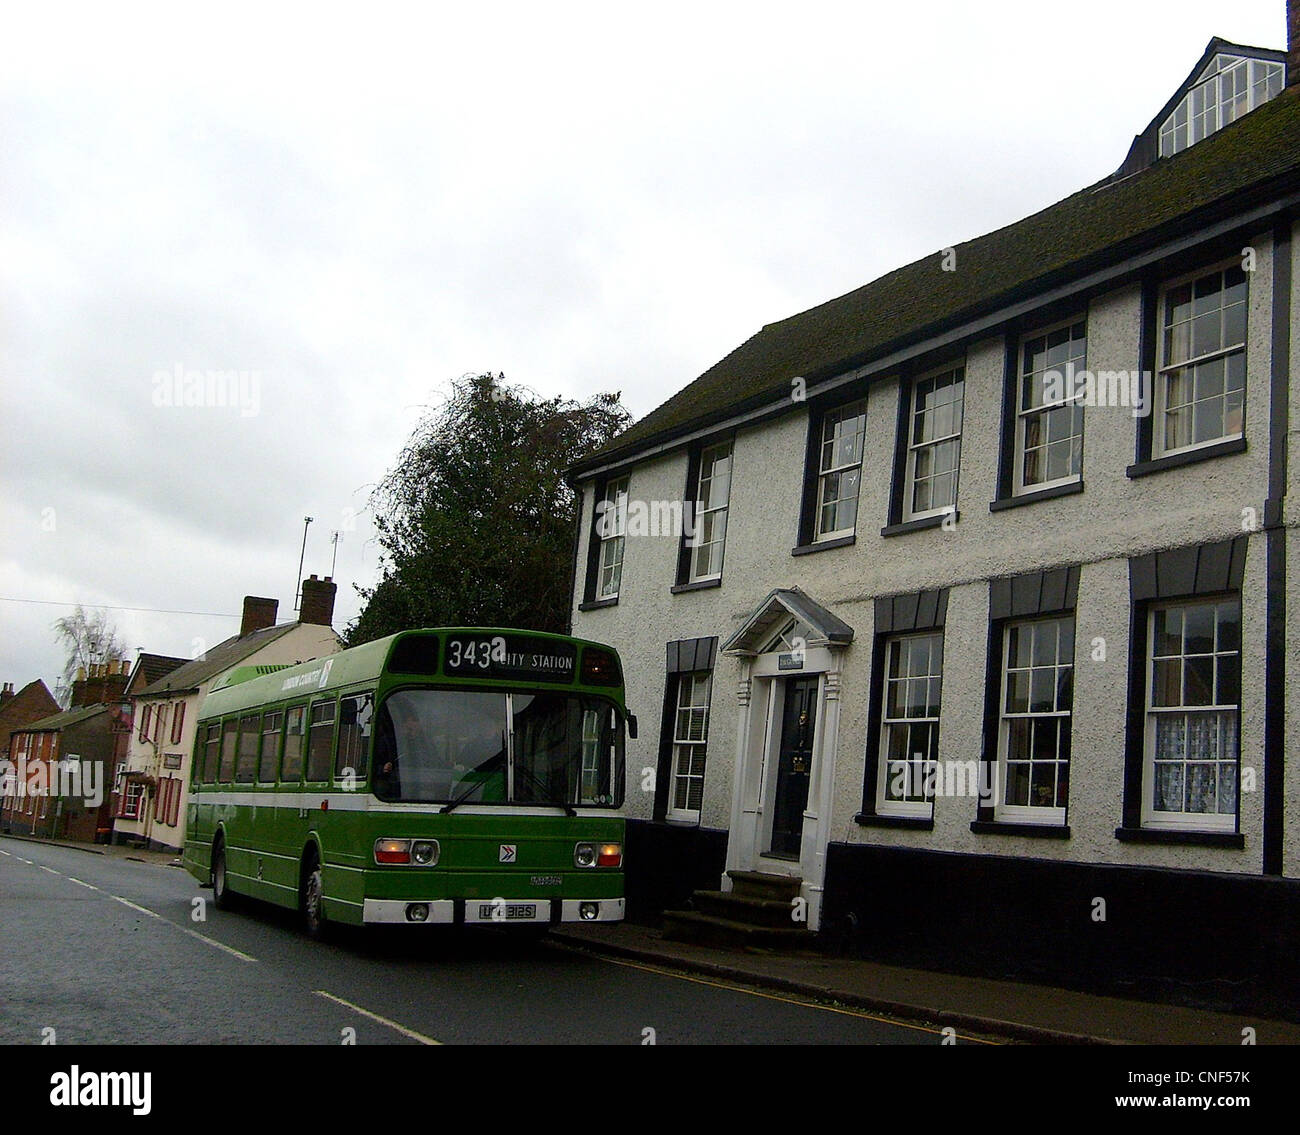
(436, 777)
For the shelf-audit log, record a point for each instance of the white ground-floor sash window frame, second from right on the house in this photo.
(1029, 813)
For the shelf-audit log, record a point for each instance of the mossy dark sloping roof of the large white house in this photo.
(1094, 227)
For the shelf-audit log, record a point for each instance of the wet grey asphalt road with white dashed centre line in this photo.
(105, 951)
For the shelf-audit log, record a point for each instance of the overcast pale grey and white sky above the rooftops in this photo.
(352, 206)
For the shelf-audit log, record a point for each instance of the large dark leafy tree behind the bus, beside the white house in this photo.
(476, 522)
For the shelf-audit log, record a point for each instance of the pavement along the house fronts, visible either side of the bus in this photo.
(1016, 1011)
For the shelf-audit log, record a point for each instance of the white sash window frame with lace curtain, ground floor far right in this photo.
(1188, 821)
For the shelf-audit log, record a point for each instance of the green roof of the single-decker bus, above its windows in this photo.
(250, 687)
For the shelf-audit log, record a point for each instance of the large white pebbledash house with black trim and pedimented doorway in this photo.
(974, 638)
